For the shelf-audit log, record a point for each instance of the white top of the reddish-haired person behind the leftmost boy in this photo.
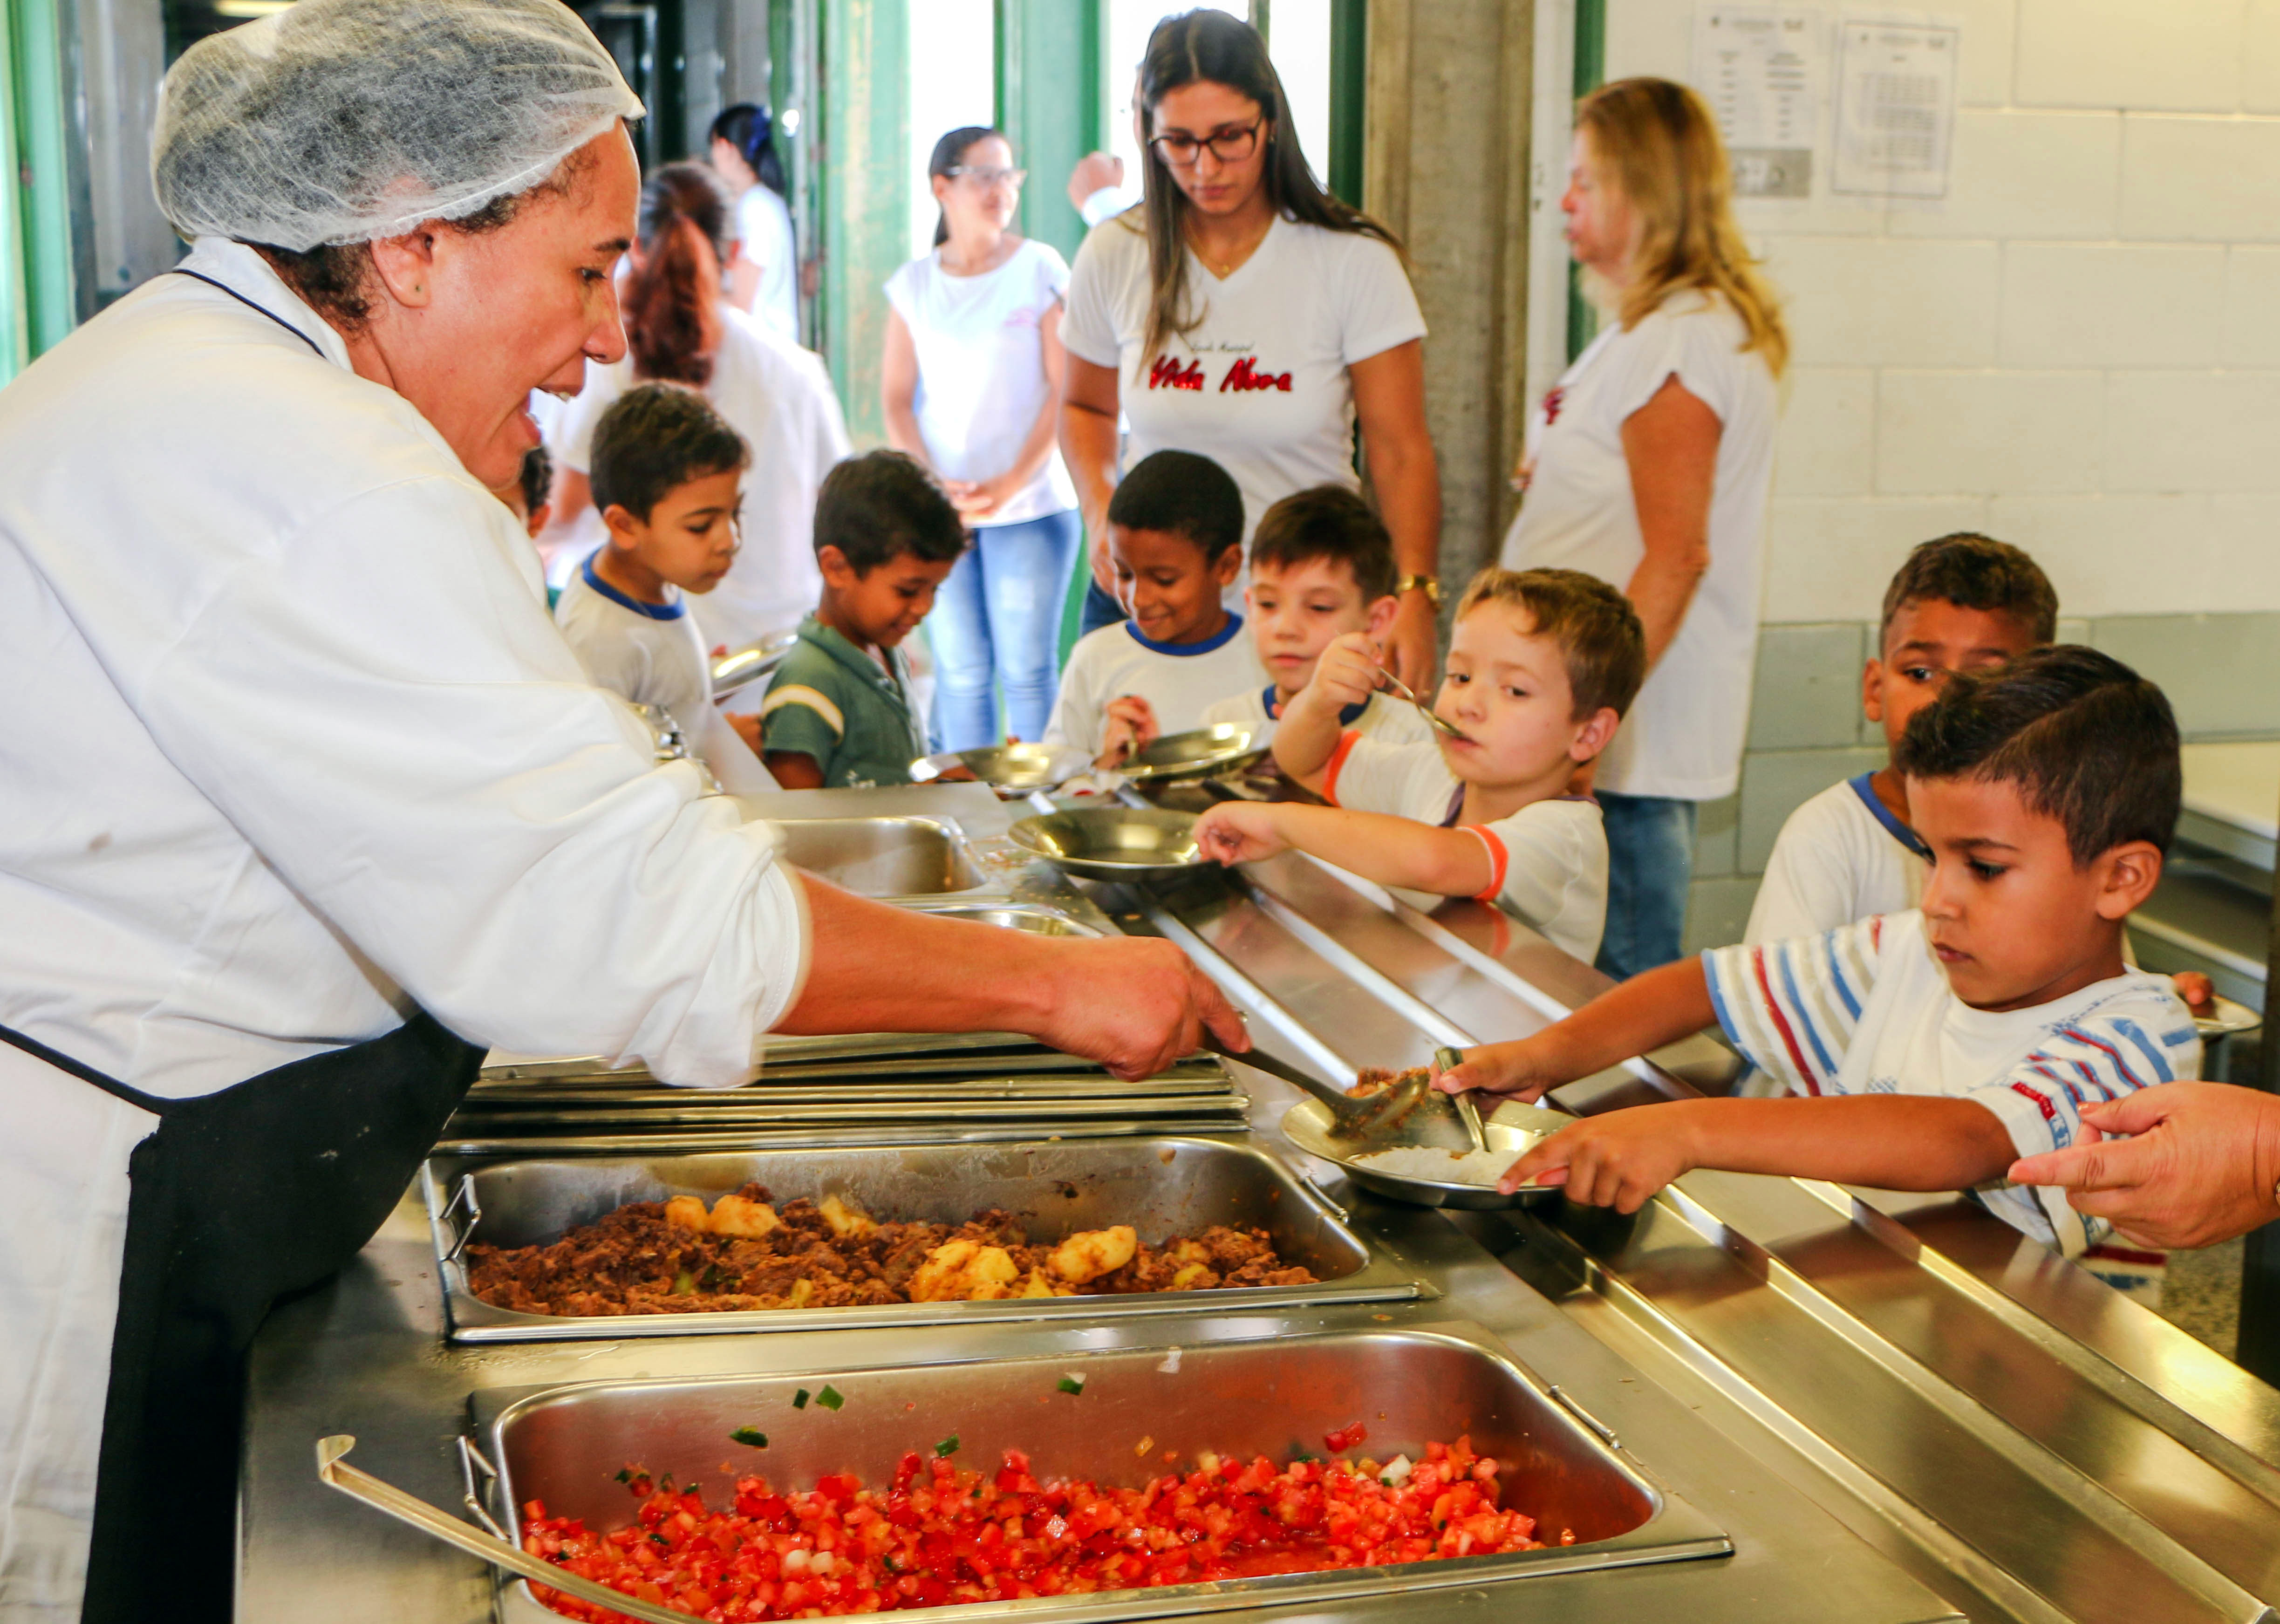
(781, 400)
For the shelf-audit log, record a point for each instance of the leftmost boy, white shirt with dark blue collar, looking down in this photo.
(669, 485)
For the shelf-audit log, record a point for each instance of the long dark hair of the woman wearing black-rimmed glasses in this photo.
(1221, 49)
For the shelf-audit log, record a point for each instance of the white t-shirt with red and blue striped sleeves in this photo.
(1866, 1012)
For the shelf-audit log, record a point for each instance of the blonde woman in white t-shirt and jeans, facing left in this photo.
(1650, 466)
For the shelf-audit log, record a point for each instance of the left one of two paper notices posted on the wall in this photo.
(1761, 70)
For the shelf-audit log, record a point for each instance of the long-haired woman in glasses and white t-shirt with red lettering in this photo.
(1248, 316)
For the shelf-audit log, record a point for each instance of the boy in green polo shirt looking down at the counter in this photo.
(838, 710)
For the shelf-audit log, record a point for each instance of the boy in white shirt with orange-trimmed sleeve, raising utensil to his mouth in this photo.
(1540, 672)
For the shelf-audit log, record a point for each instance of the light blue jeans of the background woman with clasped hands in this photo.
(997, 617)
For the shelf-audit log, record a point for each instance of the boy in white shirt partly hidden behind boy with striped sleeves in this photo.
(1960, 603)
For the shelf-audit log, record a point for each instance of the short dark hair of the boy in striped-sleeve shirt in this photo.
(2085, 738)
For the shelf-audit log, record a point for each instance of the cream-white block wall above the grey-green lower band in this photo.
(2076, 350)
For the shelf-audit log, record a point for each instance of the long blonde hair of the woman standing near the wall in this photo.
(1659, 145)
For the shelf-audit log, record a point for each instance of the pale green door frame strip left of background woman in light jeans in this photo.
(863, 193)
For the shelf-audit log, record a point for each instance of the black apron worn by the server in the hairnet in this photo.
(236, 1201)
